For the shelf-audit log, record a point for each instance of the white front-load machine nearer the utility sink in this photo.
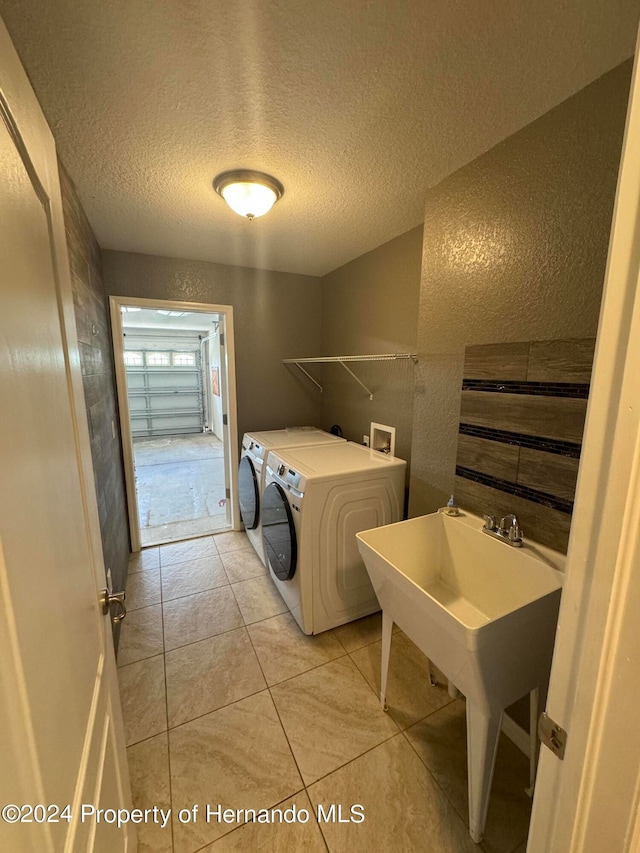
(315, 500)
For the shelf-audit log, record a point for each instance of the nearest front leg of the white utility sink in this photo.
(483, 732)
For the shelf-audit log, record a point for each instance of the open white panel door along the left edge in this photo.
(61, 737)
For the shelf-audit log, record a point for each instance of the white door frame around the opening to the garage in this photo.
(115, 305)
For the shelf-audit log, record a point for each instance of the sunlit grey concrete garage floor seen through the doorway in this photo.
(180, 487)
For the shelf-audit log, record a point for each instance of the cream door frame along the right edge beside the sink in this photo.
(589, 801)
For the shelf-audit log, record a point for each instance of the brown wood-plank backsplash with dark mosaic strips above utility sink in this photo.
(521, 423)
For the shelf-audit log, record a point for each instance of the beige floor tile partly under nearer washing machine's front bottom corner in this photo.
(284, 651)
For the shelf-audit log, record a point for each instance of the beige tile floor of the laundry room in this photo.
(226, 701)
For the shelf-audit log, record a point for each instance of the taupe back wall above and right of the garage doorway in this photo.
(276, 316)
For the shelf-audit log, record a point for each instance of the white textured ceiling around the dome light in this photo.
(357, 106)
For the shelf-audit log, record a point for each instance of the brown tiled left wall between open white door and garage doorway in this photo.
(96, 357)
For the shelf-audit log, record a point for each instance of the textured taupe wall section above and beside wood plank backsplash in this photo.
(515, 247)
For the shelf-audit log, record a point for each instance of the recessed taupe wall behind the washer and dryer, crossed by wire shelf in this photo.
(370, 306)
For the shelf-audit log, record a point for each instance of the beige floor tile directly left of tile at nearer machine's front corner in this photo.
(207, 675)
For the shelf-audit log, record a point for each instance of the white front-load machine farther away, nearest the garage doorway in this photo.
(255, 447)
